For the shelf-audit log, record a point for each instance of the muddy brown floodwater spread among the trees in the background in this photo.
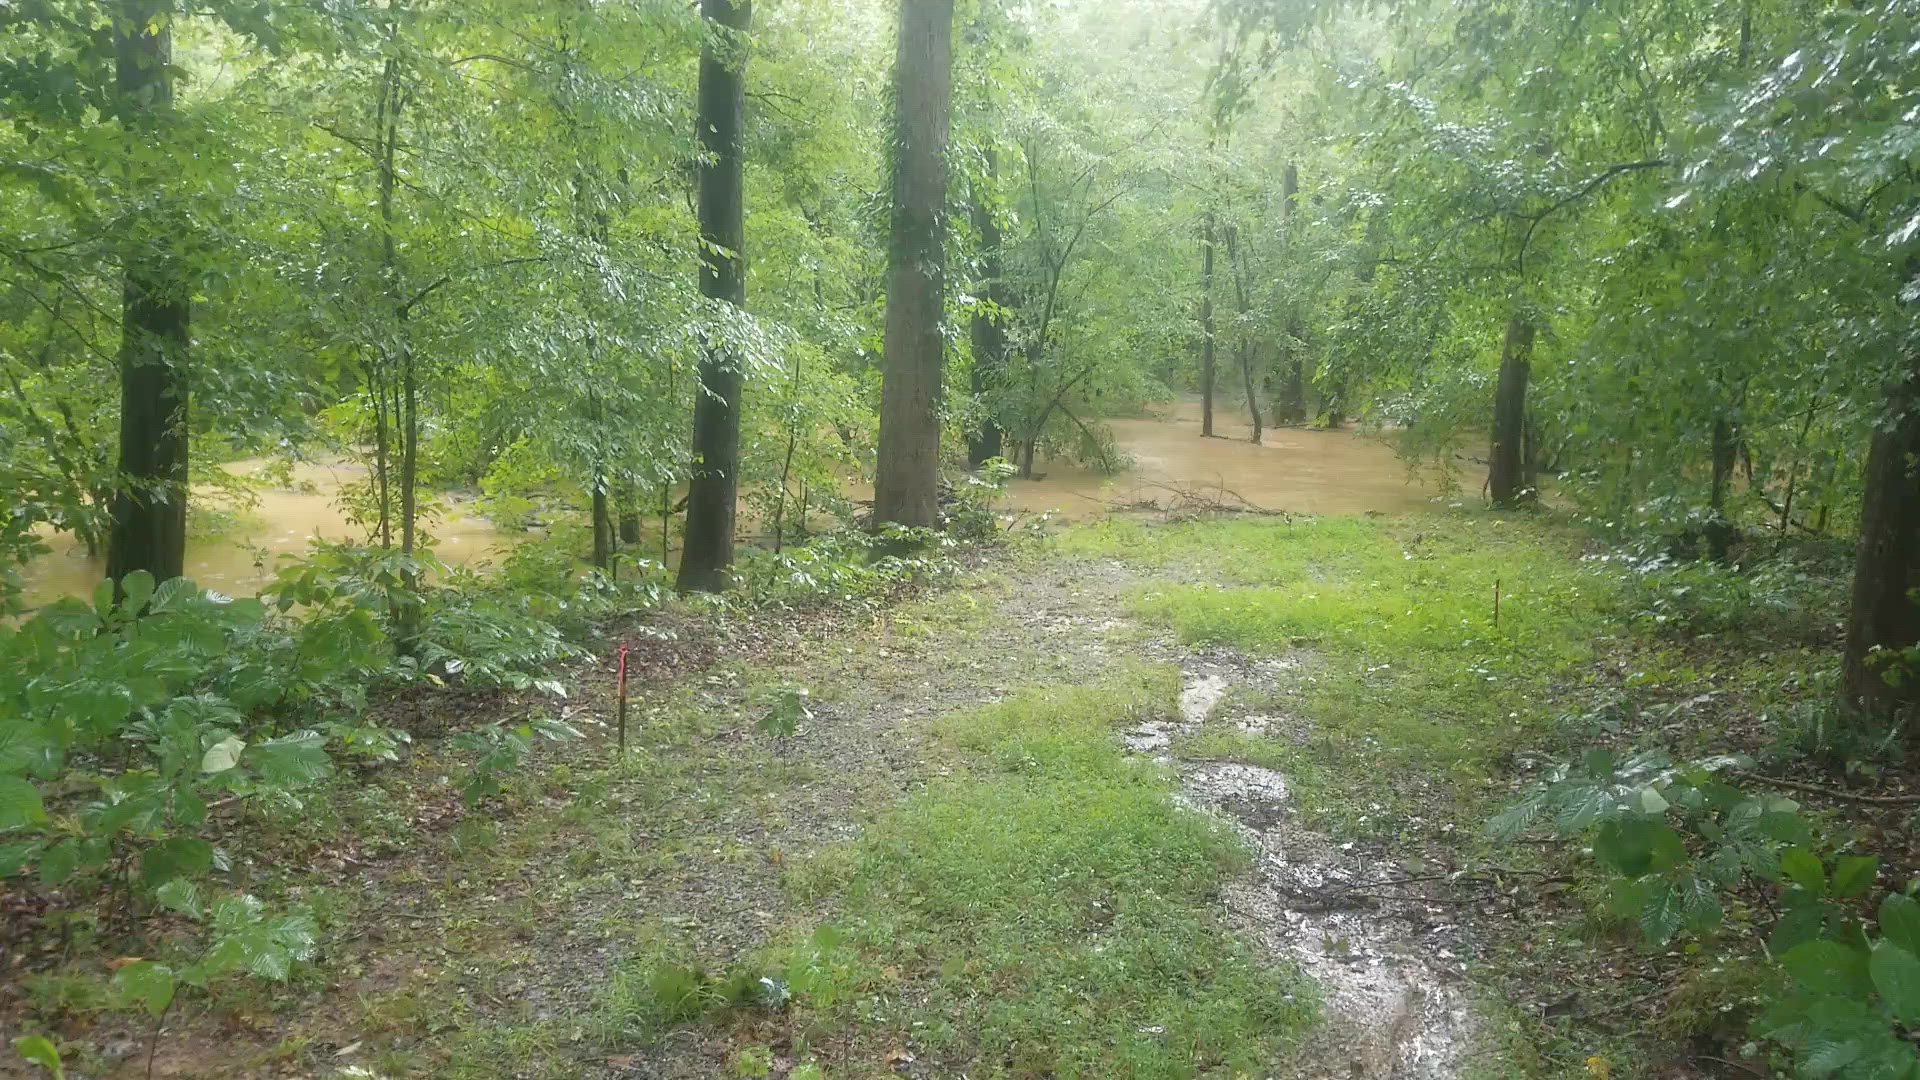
(1293, 470)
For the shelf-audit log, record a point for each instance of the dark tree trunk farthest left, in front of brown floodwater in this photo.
(151, 499)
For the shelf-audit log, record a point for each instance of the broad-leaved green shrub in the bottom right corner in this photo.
(1679, 839)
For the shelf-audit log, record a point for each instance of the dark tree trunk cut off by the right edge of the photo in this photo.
(1886, 570)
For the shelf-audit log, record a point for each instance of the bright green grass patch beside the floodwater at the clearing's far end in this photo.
(1418, 674)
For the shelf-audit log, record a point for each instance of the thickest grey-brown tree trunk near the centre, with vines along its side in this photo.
(907, 476)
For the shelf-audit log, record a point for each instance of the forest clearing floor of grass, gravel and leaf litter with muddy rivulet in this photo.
(1149, 798)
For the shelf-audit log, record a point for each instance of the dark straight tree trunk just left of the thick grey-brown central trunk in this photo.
(713, 493)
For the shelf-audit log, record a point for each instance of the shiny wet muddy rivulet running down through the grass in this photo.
(1389, 973)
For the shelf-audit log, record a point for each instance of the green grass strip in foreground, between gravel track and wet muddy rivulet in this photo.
(1045, 912)
